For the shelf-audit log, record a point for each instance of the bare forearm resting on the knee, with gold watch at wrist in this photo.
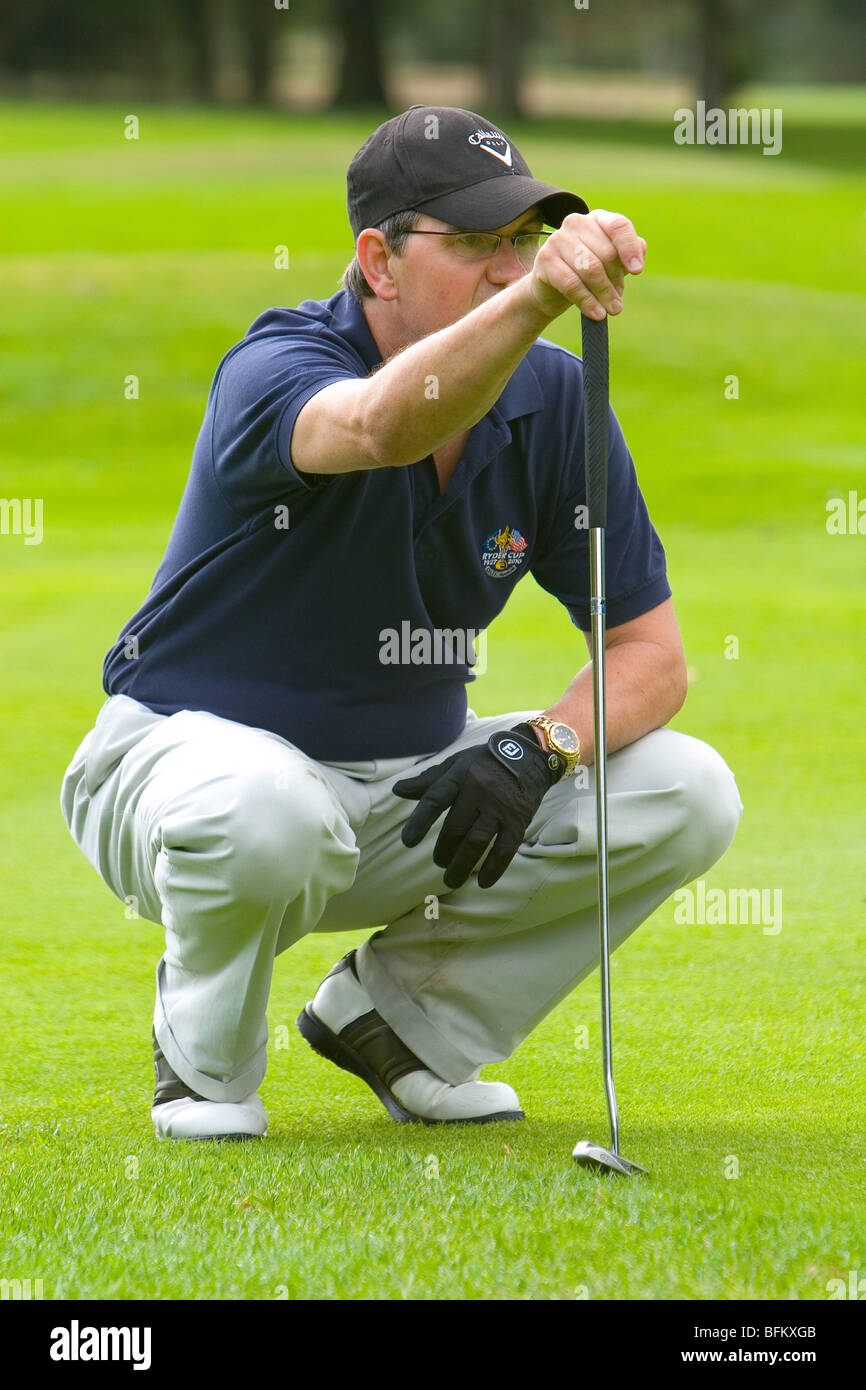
(646, 687)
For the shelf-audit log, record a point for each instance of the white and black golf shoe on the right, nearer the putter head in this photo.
(343, 1027)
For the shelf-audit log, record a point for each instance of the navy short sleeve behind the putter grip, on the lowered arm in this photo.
(635, 555)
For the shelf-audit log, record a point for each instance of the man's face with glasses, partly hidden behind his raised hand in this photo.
(437, 287)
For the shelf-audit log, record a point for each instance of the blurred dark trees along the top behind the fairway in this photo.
(512, 58)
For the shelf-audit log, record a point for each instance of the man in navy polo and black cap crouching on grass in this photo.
(401, 454)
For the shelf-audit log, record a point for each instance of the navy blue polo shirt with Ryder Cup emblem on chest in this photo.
(338, 610)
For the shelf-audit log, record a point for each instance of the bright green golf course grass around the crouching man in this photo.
(735, 1050)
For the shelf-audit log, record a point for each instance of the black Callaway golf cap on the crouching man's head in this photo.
(452, 165)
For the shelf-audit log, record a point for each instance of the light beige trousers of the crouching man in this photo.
(240, 844)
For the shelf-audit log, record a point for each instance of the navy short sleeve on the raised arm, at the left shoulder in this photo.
(259, 393)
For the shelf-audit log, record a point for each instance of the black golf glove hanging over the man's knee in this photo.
(494, 790)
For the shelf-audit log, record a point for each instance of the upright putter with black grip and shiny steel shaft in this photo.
(596, 445)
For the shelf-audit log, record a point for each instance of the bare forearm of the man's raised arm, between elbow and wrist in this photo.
(443, 386)
